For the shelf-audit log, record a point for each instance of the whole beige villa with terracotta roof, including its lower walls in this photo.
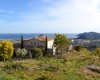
(39, 42)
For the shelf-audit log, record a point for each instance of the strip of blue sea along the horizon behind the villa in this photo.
(15, 36)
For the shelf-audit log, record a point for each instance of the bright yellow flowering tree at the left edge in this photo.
(6, 49)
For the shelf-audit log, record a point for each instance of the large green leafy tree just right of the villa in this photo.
(61, 41)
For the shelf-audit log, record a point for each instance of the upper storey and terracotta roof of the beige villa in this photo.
(39, 41)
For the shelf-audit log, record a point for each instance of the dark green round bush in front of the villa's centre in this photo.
(36, 52)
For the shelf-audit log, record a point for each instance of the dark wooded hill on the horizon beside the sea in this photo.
(89, 35)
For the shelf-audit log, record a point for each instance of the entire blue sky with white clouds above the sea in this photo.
(49, 16)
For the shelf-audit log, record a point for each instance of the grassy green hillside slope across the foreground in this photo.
(69, 66)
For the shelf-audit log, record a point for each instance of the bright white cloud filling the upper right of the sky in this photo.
(78, 14)
